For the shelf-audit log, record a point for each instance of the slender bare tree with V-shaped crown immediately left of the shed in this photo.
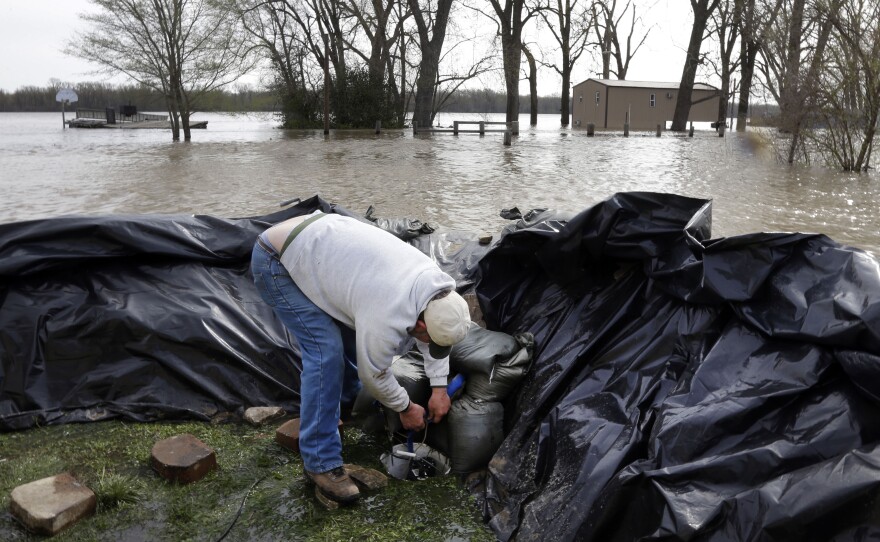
(570, 26)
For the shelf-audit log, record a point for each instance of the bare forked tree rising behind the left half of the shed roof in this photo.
(606, 21)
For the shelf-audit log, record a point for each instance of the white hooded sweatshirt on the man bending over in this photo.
(374, 283)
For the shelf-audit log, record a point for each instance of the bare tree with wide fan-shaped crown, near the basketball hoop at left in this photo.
(183, 48)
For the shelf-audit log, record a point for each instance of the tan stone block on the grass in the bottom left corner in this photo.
(49, 505)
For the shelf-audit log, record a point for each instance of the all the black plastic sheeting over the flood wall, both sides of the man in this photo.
(683, 388)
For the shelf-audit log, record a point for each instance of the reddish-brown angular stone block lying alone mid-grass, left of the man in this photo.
(183, 459)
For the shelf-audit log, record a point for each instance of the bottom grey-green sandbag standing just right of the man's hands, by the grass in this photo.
(475, 433)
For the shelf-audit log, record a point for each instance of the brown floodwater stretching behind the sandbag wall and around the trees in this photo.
(245, 166)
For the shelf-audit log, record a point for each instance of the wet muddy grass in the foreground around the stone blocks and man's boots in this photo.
(257, 493)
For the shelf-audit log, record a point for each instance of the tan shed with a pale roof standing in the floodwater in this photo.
(606, 102)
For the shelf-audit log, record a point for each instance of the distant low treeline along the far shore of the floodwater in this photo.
(102, 95)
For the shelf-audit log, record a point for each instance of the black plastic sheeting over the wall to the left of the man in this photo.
(149, 317)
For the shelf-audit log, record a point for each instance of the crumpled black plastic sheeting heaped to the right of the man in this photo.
(684, 388)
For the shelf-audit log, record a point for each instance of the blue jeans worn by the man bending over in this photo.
(329, 373)
